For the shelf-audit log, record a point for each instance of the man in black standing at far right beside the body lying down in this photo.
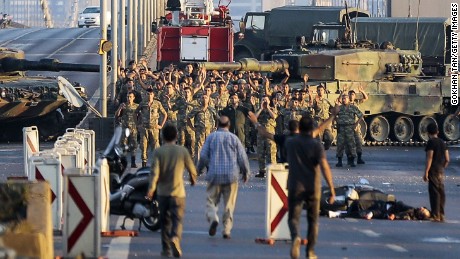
(437, 158)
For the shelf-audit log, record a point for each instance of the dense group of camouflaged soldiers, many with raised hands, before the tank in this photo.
(193, 99)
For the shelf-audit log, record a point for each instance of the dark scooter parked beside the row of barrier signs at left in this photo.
(128, 190)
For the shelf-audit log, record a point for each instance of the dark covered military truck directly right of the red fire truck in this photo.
(263, 33)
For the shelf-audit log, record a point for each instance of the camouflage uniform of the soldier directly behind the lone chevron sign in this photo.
(266, 149)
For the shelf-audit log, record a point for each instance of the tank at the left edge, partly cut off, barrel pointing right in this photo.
(35, 101)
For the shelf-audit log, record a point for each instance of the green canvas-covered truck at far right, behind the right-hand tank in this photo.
(433, 35)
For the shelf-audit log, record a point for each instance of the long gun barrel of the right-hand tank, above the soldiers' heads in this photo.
(246, 64)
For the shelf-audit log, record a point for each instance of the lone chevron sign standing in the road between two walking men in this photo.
(276, 215)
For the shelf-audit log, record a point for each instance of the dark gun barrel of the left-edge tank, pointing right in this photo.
(9, 64)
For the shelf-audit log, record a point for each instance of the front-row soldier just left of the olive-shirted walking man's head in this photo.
(148, 112)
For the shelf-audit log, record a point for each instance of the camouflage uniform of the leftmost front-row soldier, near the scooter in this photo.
(129, 121)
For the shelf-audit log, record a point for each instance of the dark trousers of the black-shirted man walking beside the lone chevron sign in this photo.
(296, 203)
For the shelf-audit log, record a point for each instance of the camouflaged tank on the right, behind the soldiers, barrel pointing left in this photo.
(402, 102)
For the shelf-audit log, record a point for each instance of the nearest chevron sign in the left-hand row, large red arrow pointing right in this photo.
(82, 231)
